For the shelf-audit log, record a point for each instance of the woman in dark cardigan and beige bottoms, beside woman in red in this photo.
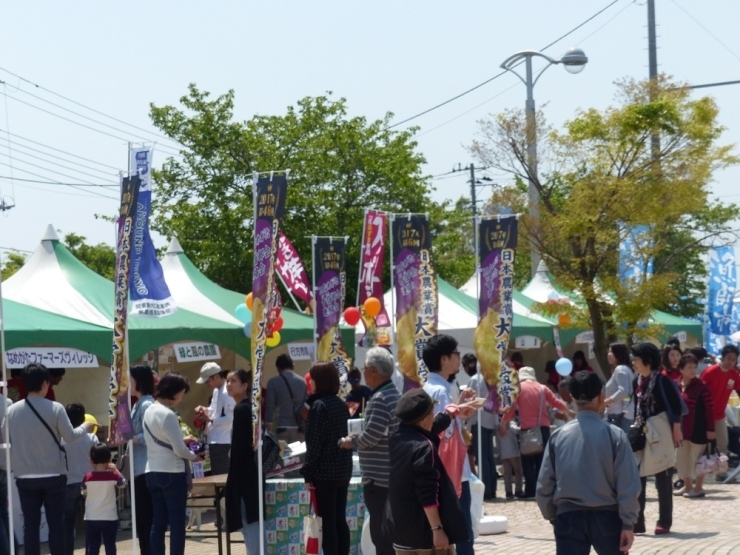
(697, 426)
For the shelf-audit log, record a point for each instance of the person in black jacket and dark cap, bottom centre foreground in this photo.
(423, 511)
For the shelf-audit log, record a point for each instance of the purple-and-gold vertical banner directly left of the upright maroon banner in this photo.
(330, 282)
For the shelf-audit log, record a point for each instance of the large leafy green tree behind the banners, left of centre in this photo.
(339, 165)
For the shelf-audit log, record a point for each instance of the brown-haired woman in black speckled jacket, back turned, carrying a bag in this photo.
(328, 467)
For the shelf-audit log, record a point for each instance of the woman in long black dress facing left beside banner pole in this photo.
(242, 483)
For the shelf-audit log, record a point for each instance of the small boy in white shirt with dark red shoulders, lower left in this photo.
(101, 513)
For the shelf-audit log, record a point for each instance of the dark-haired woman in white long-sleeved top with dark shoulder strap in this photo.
(167, 464)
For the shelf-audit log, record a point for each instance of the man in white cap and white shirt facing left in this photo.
(219, 416)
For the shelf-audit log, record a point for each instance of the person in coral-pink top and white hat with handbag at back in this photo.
(535, 423)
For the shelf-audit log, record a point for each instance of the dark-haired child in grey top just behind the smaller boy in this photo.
(78, 463)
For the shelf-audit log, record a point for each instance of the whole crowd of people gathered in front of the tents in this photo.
(584, 448)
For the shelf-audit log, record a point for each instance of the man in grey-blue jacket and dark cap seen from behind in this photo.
(589, 483)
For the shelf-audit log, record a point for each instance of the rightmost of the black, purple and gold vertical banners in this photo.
(497, 239)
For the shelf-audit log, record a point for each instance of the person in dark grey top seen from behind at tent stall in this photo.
(284, 400)
